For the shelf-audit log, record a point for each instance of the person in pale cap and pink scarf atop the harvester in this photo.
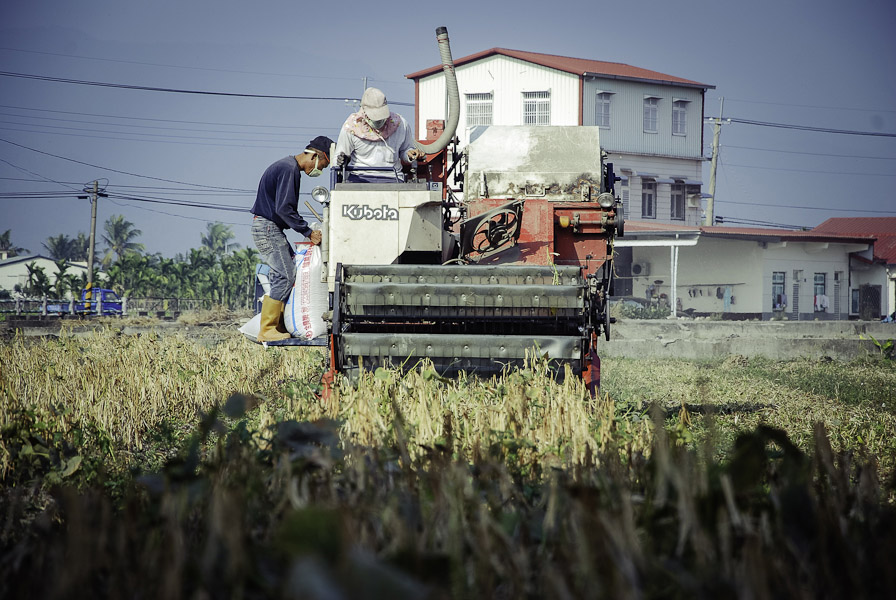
(375, 137)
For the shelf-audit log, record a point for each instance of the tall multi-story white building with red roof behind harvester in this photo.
(651, 124)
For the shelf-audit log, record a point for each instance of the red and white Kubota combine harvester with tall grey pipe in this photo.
(516, 262)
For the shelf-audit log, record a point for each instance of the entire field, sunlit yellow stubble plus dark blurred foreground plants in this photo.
(156, 466)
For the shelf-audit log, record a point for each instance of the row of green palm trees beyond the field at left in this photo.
(218, 271)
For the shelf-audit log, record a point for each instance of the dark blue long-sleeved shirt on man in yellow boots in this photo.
(278, 196)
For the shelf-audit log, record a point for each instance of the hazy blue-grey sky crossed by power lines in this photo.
(811, 64)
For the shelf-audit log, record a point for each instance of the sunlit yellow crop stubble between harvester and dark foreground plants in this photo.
(129, 385)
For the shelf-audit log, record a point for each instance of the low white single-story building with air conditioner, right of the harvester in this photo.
(742, 273)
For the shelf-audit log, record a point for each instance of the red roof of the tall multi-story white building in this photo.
(576, 66)
